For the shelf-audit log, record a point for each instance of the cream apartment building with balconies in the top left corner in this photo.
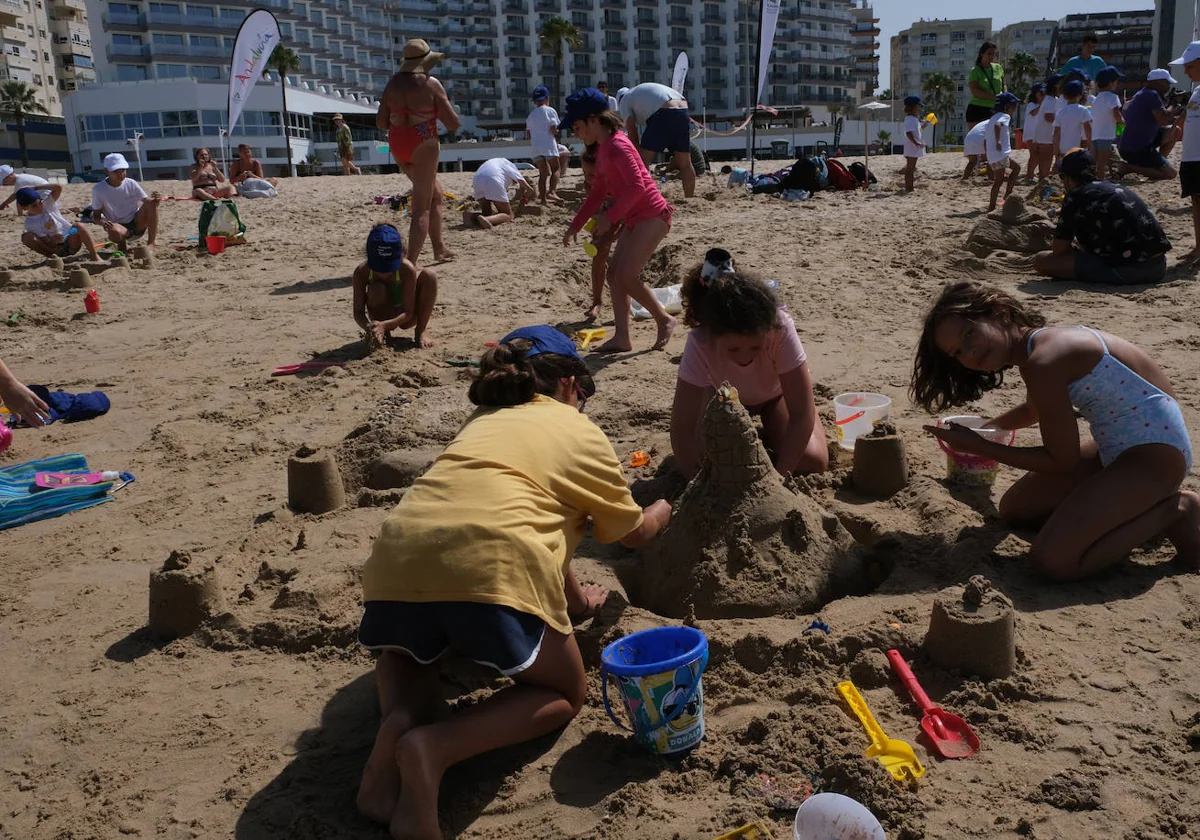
(47, 45)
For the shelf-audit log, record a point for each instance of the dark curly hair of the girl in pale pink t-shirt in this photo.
(730, 304)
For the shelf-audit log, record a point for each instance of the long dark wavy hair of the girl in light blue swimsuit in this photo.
(940, 382)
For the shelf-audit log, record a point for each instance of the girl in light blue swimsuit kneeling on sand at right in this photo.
(1096, 501)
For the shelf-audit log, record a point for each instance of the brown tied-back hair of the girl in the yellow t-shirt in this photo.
(509, 377)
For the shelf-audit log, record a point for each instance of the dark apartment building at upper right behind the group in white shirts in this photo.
(1127, 43)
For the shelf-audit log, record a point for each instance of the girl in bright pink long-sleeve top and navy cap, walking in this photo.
(638, 207)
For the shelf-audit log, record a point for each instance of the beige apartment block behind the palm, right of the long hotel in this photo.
(943, 46)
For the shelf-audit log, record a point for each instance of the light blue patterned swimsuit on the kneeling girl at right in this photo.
(1125, 411)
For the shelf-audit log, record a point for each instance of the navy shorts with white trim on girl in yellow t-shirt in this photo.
(501, 638)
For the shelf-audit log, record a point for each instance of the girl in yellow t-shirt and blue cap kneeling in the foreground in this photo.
(477, 560)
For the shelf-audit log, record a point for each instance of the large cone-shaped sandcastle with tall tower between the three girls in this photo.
(741, 544)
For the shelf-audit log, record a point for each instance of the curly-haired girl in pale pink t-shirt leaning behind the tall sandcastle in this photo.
(743, 337)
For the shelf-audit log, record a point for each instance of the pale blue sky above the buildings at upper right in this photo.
(897, 15)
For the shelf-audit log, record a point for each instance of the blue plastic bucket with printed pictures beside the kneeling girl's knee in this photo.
(659, 673)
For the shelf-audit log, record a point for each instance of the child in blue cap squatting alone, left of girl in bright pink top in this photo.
(391, 293)
